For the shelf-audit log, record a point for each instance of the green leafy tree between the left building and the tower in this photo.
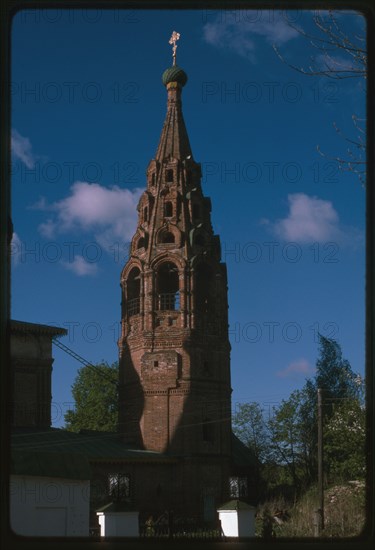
(95, 392)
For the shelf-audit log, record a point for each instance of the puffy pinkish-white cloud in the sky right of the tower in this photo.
(310, 219)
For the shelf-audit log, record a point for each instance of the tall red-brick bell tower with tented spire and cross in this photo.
(175, 392)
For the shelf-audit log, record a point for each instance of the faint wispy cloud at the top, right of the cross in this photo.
(237, 33)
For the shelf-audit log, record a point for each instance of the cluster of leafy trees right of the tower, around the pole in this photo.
(286, 443)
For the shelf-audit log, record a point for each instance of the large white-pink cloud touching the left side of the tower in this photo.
(108, 212)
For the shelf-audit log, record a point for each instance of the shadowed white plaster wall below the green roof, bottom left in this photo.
(47, 506)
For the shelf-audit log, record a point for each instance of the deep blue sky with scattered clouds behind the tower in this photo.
(88, 107)
